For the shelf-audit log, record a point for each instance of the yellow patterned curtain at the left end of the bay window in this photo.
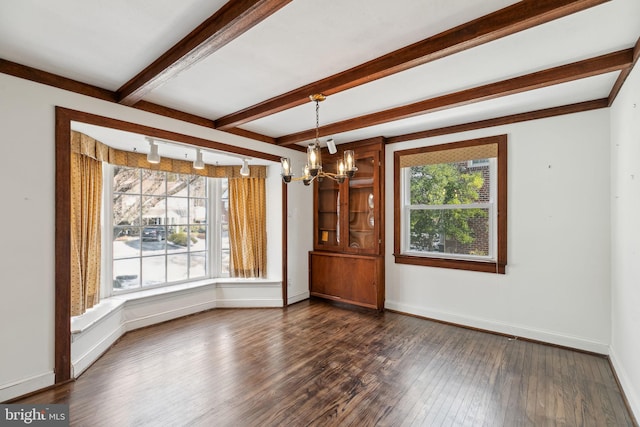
(86, 198)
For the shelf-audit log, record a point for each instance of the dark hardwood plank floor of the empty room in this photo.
(319, 364)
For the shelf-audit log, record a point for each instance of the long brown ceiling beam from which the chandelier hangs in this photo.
(512, 19)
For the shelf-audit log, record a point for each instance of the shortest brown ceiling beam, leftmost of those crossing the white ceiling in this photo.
(227, 24)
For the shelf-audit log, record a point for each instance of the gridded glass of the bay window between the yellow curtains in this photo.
(160, 227)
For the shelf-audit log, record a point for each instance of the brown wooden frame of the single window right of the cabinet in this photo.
(496, 265)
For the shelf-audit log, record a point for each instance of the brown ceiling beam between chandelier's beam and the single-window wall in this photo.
(578, 70)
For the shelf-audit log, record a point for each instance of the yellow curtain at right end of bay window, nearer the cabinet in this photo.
(247, 227)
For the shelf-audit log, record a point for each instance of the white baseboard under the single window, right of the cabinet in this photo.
(503, 328)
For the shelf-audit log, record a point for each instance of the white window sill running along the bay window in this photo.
(108, 306)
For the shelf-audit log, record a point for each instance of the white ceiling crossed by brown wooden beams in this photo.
(401, 69)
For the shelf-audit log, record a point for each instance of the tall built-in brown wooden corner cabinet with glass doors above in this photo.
(347, 263)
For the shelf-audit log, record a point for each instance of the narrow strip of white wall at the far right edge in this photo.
(625, 238)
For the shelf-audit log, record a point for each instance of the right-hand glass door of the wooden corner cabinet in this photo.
(363, 205)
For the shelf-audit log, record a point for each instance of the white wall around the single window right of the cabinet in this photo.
(556, 286)
